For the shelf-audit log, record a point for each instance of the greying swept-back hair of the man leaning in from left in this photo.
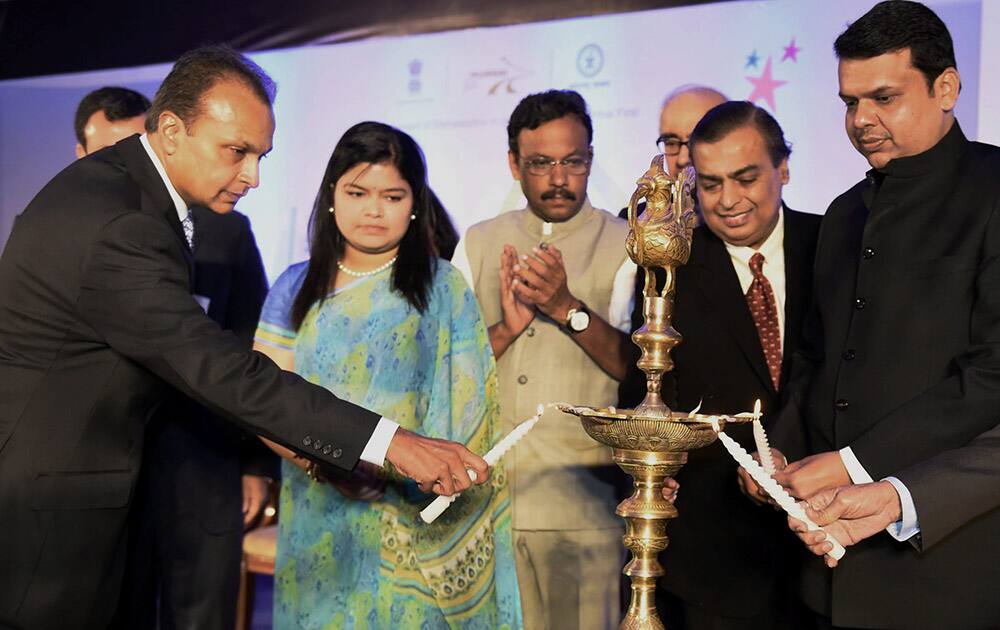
(196, 72)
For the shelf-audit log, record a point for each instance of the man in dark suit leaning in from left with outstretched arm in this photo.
(97, 320)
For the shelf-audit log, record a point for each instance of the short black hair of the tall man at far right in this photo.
(895, 25)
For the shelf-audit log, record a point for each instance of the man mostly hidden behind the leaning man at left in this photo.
(202, 480)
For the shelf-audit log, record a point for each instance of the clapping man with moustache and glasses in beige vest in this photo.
(555, 286)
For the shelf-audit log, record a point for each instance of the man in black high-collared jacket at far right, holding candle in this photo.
(902, 379)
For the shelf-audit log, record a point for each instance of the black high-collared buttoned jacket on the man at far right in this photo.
(902, 363)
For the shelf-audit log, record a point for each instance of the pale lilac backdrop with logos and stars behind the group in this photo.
(454, 93)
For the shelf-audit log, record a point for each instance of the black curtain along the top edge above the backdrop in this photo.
(39, 37)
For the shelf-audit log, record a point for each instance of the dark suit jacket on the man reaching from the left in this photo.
(96, 320)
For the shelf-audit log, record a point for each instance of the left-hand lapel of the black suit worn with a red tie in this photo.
(721, 286)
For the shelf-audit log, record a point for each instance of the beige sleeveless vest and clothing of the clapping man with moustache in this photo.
(560, 479)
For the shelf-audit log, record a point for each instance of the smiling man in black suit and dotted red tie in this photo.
(739, 306)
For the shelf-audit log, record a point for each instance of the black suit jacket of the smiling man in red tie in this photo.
(726, 554)
